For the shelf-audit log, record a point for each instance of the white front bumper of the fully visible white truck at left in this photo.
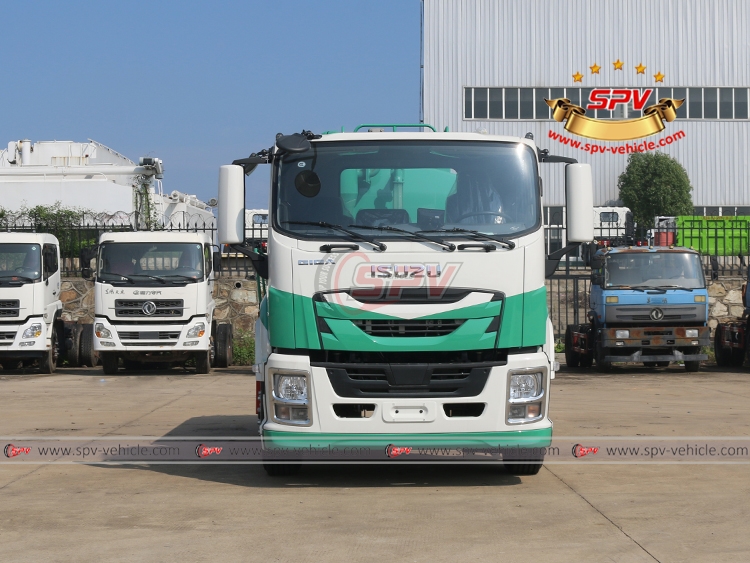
(142, 338)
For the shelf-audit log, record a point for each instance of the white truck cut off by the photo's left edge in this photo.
(31, 329)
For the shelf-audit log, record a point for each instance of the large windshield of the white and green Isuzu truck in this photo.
(490, 187)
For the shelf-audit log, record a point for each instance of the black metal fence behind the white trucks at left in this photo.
(78, 235)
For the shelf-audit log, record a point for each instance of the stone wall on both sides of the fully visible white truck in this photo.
(236, 301)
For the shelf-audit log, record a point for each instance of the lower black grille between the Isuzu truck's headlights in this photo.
(407, 380)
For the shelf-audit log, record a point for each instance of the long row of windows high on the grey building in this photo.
(528, 103)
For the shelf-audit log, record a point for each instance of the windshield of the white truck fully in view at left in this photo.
(150, 263)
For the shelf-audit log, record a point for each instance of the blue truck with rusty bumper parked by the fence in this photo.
(647, 304)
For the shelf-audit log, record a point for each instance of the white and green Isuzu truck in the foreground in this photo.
(406, 309)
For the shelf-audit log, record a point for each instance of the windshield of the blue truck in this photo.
(655, 269)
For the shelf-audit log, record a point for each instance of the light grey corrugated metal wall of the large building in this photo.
(533, 43)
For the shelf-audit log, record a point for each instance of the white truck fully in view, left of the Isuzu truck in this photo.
(154, 301)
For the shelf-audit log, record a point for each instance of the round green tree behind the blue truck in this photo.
(655, 184)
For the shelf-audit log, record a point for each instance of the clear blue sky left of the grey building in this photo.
(199, 84)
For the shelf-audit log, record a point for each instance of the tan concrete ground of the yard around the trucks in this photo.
(183, 513)
